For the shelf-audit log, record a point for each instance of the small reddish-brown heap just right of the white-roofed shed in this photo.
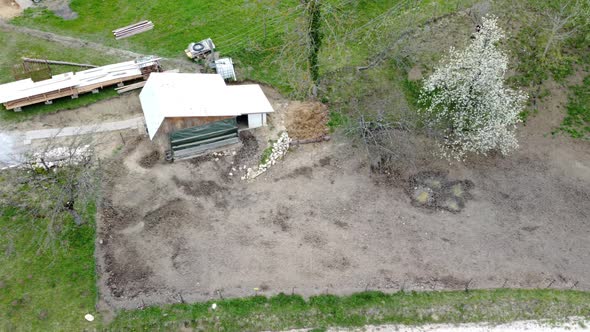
(307, 120)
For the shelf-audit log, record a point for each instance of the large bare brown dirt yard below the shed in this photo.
(320, 221)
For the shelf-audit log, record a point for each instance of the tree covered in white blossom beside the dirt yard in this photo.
(466, 103)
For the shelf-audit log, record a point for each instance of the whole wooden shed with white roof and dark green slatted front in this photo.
(193, 113)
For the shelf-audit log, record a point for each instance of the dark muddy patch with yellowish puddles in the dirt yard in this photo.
(434, 190)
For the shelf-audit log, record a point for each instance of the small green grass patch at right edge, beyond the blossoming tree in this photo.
(577, 120)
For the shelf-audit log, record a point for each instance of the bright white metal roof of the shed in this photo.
(169, 95)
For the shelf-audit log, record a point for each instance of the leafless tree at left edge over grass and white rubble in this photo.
(58, 178)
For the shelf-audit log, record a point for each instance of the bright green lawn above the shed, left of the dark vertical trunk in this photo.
(236, 27)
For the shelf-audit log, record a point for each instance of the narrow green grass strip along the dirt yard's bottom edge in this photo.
(285, 312)
